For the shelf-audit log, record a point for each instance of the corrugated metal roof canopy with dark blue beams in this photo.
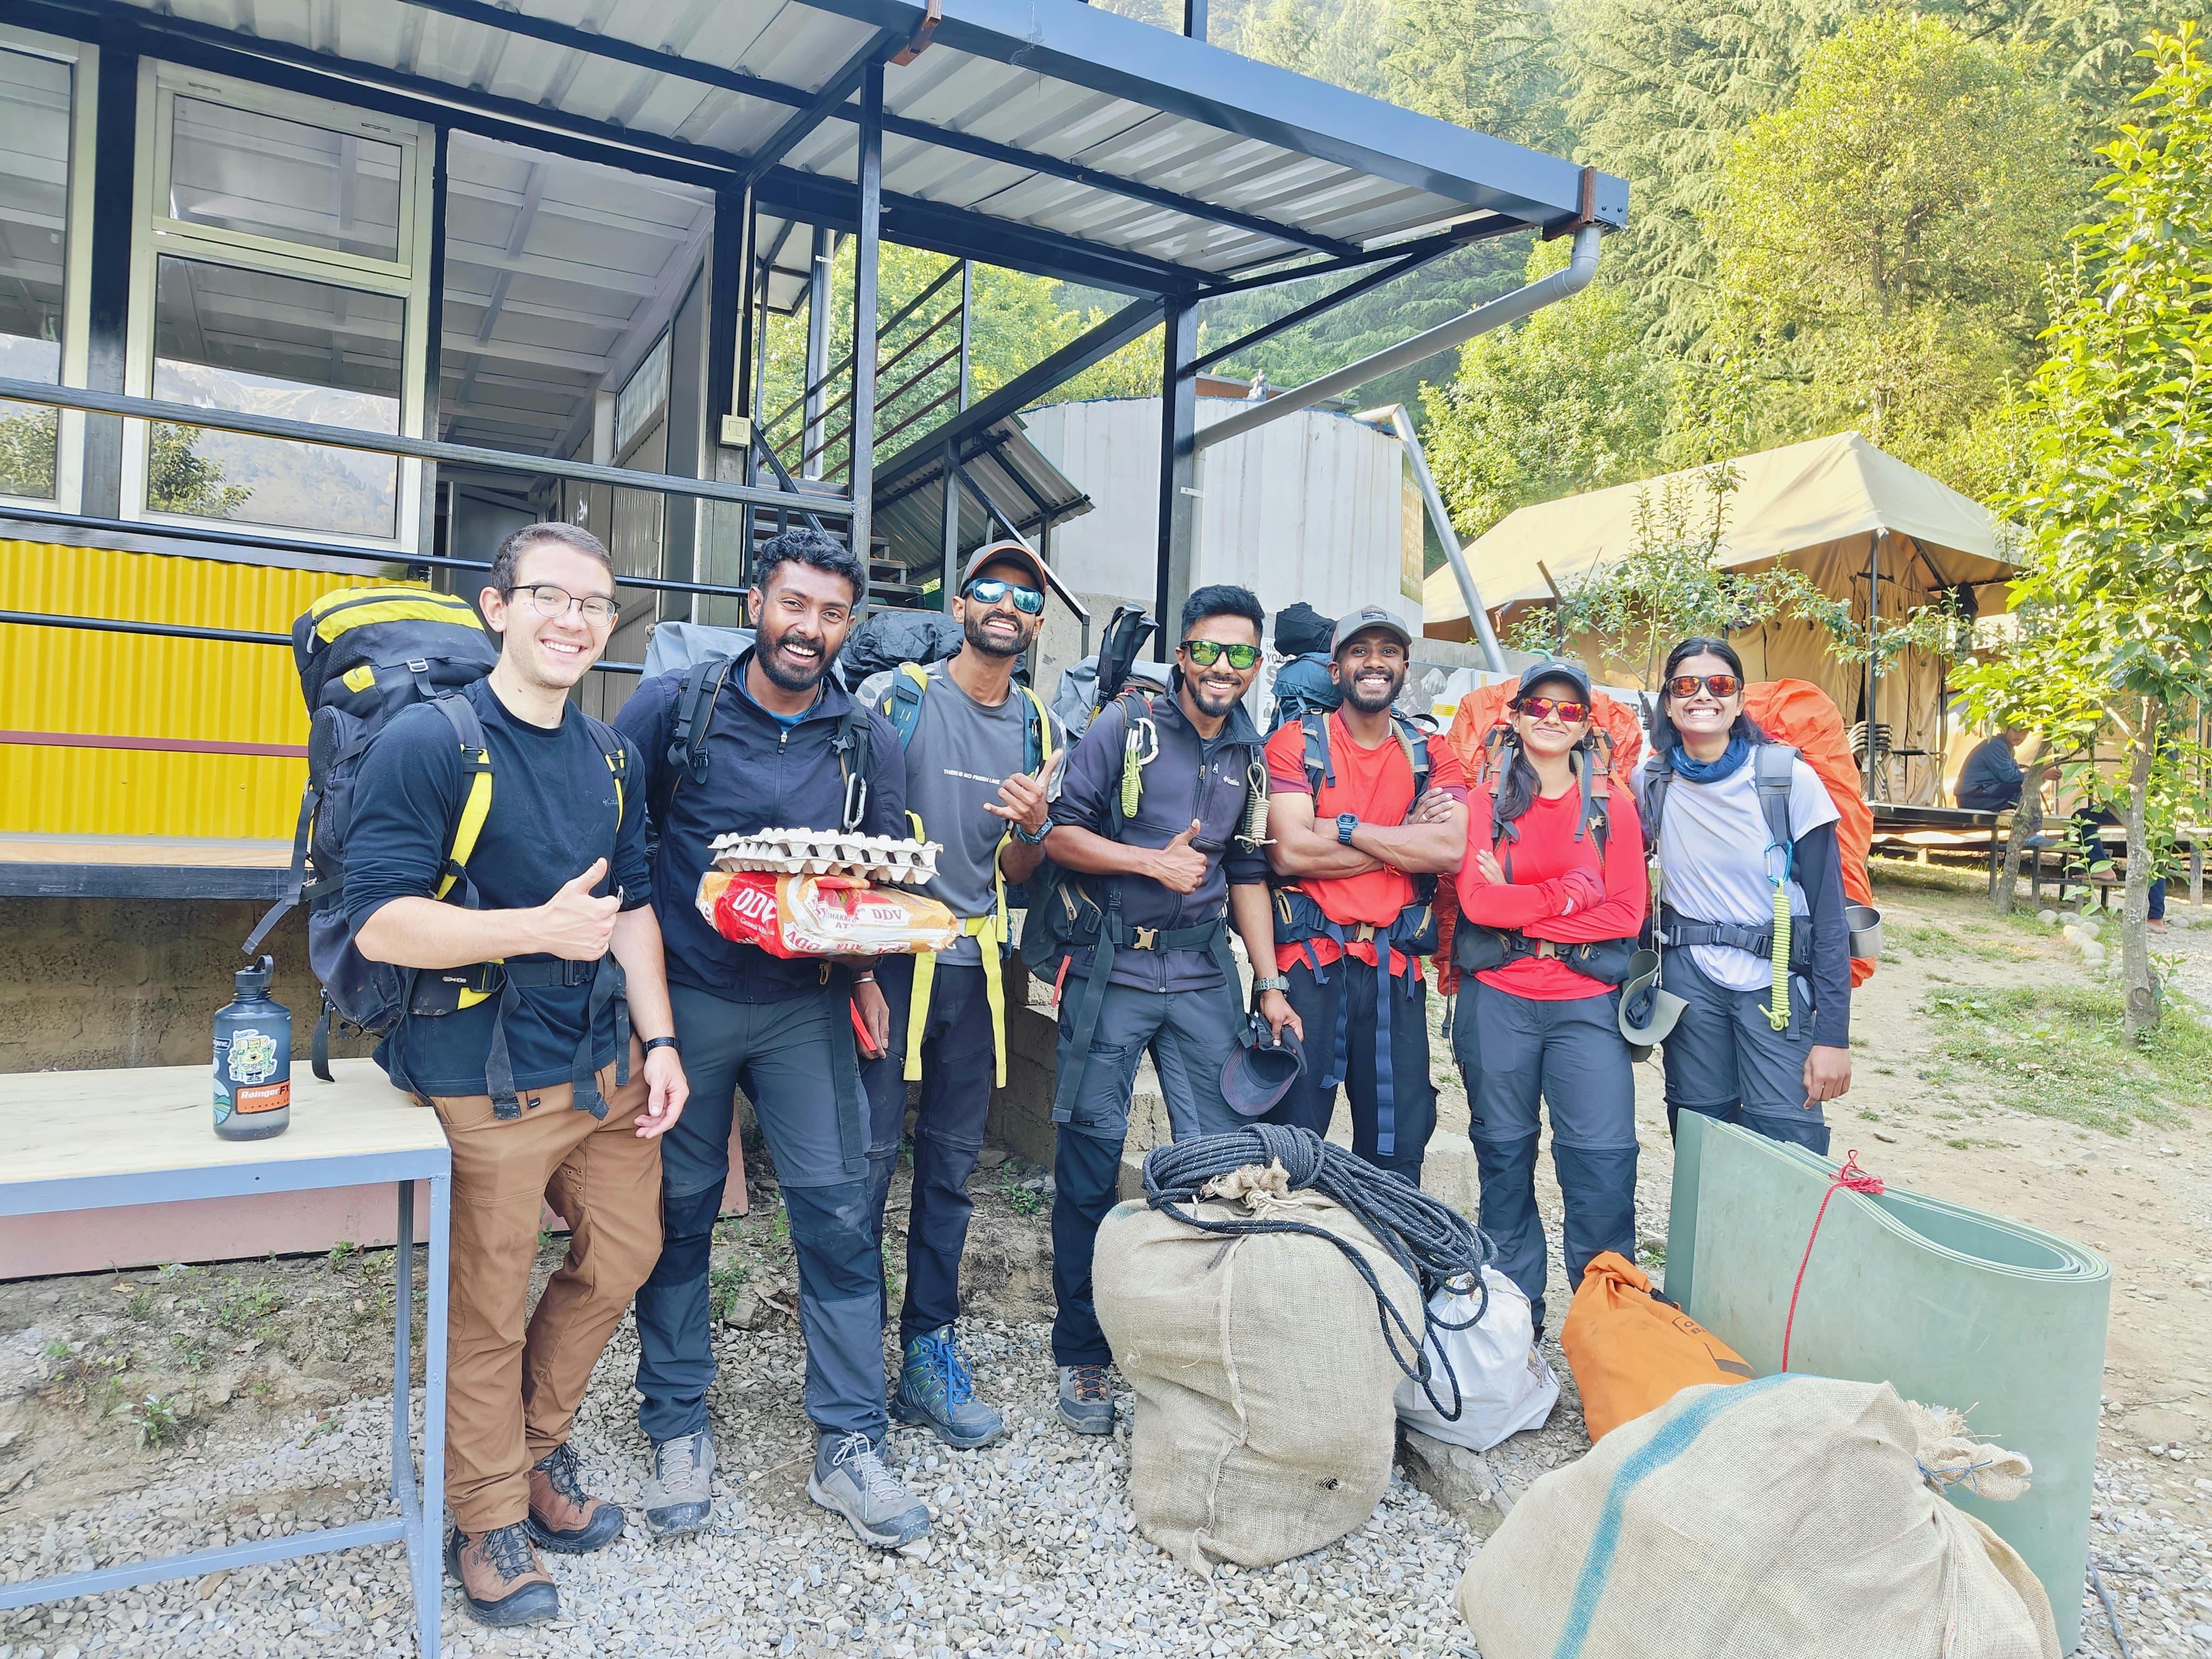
(1032, 134)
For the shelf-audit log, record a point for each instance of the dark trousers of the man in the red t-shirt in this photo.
(1386, 1070)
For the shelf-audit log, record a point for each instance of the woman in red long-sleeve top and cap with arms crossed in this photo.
(1552, 901)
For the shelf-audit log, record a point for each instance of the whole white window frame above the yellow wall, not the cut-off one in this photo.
(158, 236)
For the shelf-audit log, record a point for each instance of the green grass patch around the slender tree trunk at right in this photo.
(2060, 1052)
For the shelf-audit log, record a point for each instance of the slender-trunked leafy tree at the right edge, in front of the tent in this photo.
(2116, 543)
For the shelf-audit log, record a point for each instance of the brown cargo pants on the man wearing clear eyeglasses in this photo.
(512, 1390)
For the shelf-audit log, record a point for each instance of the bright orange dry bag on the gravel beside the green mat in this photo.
(1634, 1353)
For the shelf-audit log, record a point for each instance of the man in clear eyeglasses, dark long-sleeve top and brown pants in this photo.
(563, 884)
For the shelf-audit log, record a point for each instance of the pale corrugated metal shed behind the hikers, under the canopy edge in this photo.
(1308, 508)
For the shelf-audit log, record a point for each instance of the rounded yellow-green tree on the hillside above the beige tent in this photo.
(1881, 236)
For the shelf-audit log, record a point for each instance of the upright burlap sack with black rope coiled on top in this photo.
(1264, 1386)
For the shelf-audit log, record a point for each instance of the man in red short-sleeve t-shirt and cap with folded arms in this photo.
(1346, 853)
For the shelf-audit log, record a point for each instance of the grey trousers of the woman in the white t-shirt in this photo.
(1724, 1058)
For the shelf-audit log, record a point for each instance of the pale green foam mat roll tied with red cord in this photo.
(1952, 1306)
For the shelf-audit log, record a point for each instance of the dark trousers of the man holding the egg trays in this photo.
(815, 1120)
